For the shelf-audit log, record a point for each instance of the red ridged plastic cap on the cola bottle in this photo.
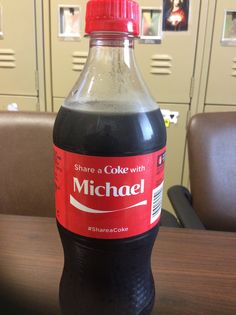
(112, 16)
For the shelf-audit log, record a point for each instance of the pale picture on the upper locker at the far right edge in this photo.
(229, 28)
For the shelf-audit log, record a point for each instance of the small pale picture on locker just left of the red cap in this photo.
(69, 21)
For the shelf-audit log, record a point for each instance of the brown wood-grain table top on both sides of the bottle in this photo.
(194, 271)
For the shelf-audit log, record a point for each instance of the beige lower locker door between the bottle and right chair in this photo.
(176, 141)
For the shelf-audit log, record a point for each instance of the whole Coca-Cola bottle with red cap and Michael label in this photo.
(109, 141)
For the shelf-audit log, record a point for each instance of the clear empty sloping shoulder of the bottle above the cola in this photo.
(112, 78)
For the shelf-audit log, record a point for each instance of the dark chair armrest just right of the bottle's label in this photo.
(181, 201)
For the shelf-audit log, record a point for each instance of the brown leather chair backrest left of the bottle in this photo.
(26, 163)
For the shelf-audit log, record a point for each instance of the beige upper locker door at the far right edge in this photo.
(221, 88)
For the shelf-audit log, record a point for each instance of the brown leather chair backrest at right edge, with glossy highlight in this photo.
(212, 165)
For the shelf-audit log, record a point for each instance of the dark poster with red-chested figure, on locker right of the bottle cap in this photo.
(175, 15)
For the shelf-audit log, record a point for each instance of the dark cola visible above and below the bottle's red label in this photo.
(104, 277)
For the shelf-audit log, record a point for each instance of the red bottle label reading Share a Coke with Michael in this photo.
(108, 197)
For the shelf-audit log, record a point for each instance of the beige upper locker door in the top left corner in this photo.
(18, 48)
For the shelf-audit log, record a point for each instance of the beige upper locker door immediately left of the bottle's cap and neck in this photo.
(68, 54)
